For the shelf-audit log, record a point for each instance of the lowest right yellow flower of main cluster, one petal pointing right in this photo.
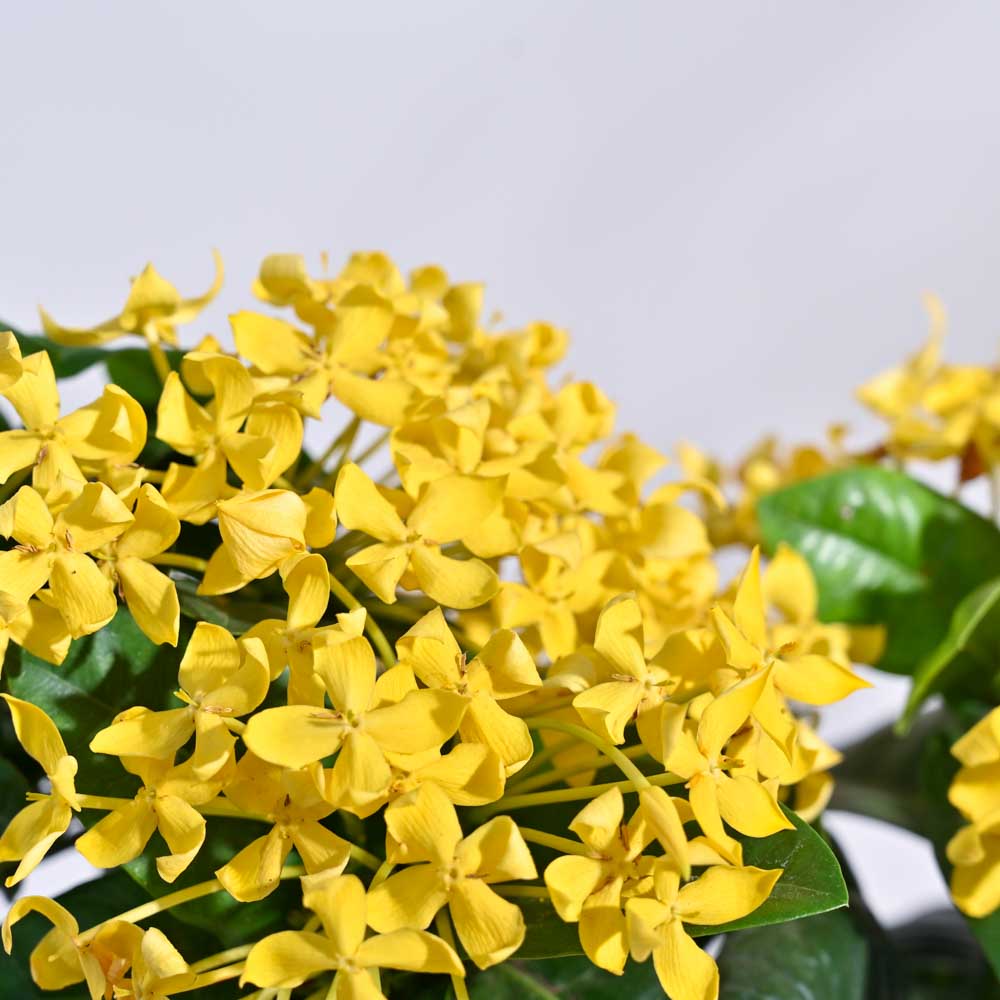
(685, 971)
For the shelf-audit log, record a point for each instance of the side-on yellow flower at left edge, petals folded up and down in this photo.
(40, 824)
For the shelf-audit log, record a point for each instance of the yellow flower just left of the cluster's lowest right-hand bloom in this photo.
(590, 888)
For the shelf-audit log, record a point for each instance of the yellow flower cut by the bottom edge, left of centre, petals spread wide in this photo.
(289, 958)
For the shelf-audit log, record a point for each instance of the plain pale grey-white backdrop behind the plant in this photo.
(733, 207)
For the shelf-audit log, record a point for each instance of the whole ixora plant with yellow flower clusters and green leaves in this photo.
(455, 705)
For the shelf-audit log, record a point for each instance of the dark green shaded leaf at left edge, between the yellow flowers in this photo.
(103, 674)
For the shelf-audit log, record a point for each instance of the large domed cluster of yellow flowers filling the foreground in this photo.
(507, 615)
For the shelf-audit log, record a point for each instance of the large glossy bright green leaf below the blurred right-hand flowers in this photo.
(885, 549)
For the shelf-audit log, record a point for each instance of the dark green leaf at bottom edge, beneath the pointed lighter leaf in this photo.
(822, 958)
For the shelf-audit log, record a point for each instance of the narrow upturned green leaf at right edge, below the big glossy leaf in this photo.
(969, 652)
